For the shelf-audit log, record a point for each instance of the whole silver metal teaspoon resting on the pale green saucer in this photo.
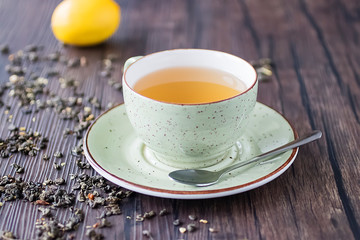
(202, 178)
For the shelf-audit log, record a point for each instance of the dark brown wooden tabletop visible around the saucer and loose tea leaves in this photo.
(315, 46)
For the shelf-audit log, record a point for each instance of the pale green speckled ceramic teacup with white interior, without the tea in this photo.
(189, 135)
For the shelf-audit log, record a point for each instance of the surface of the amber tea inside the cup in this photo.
(189, 85)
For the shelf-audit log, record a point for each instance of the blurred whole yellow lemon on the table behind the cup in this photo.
(85, 22)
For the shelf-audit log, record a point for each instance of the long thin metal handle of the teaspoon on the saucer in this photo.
(293, 144)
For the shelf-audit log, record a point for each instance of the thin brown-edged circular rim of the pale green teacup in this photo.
(191, 104)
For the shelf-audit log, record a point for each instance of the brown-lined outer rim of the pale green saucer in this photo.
(186, 194)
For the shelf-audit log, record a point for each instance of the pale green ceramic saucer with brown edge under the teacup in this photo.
(114, 151)
